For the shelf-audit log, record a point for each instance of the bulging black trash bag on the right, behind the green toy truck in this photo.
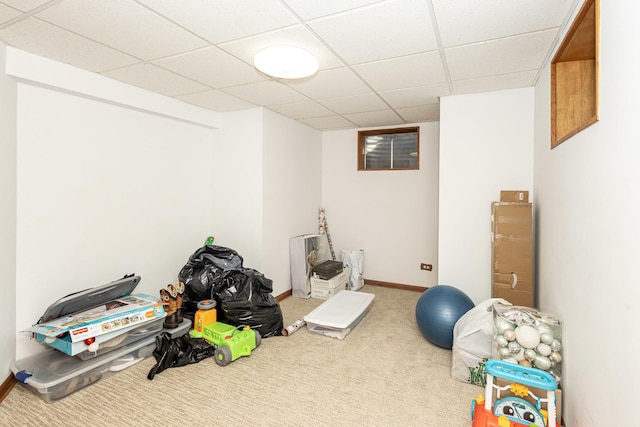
(245, 299)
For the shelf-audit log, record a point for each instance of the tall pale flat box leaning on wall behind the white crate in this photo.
(305, 252)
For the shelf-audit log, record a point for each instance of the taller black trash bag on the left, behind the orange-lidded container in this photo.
(203, 269)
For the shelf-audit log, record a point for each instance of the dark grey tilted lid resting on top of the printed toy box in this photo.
(91, 297)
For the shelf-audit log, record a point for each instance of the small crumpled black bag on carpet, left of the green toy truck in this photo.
(179, 351)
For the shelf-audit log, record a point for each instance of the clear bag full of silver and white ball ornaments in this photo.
(528, 337)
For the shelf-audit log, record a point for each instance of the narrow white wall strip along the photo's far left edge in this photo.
(7, 218)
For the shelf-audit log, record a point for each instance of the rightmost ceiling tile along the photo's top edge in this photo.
(470, 21)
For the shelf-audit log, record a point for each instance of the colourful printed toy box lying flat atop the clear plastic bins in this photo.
(106, 318)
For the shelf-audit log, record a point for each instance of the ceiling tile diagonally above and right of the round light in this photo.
(381, 31)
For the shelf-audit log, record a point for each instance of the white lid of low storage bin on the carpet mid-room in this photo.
(341, 310)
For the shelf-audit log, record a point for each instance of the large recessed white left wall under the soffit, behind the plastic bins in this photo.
(103, 190)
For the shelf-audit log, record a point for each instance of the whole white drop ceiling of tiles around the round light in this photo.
(381, 62)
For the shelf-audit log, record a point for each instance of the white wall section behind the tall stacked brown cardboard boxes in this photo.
(486, 145)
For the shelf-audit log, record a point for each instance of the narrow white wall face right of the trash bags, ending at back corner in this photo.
(292, 188)
